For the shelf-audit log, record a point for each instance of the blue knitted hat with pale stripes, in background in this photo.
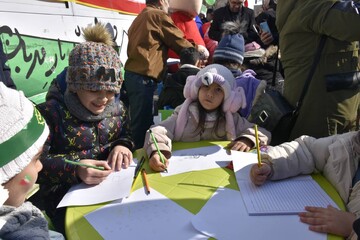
(230, 48)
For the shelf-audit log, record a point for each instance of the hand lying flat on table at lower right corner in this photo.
(328, 220)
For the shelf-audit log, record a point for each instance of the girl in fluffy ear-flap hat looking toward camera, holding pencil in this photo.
(208, 113)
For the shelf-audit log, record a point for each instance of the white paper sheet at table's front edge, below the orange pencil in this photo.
(142, 216)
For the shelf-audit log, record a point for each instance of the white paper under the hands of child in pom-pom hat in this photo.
(117, 185)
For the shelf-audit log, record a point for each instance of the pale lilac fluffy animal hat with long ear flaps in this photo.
(234, 97)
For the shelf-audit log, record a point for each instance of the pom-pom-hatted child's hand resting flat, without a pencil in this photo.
(119, 157)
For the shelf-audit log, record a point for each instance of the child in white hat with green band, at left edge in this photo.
(22, 134)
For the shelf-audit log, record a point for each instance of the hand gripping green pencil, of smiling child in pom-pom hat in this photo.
(90, 175)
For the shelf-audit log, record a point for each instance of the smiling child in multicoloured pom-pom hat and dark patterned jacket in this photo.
(87, 124)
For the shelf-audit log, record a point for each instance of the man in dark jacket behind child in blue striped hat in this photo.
(234, 11)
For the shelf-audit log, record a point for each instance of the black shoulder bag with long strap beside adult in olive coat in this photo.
(274, 113)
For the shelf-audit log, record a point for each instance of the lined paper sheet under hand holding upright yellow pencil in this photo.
(288, 196)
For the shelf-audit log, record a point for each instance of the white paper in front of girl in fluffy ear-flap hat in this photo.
(196, 159)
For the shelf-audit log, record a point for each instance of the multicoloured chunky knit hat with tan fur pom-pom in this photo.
(94, 65)
